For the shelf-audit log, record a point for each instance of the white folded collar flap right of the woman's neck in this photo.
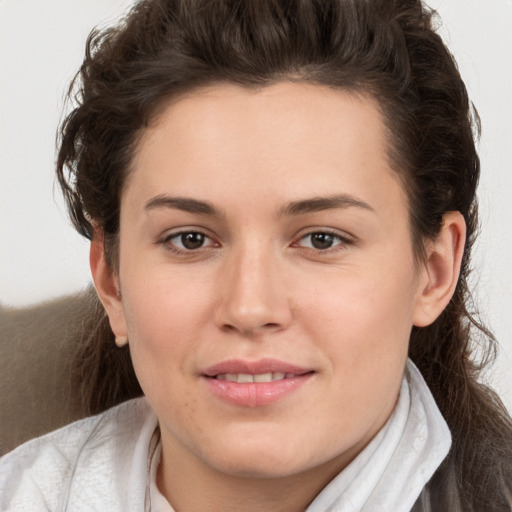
(390, 473)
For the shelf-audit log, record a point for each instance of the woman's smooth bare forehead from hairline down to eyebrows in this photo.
(286, 134)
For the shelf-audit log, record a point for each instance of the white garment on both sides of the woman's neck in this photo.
(108, 463)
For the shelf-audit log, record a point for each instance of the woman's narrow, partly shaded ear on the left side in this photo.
(107, 286)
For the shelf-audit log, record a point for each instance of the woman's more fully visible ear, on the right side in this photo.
(440, 271)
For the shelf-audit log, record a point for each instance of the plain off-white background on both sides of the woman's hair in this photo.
(41, 46)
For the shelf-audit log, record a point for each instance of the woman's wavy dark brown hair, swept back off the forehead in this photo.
(387, 49)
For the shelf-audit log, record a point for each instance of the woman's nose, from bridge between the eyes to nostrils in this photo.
(253, 299)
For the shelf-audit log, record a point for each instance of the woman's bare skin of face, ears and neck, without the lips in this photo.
(259, 288)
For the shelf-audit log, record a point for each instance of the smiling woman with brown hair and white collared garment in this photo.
(280, 199)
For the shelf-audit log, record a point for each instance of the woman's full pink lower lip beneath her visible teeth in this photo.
(255, 394)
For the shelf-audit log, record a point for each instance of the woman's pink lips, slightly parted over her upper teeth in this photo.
(255, 383)
